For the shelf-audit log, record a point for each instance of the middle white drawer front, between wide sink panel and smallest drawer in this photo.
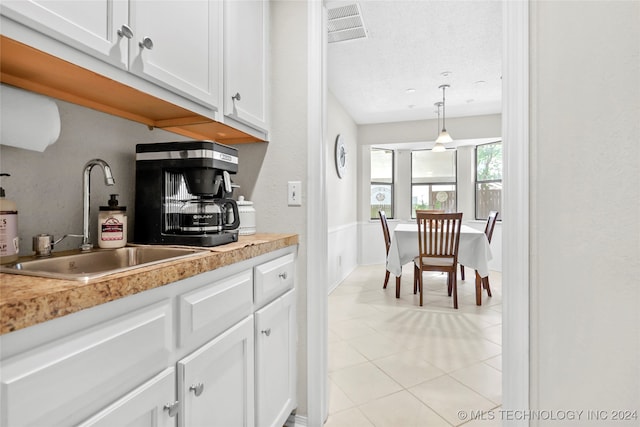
(210, 310)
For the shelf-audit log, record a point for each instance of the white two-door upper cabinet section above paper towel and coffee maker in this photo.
(176, 45)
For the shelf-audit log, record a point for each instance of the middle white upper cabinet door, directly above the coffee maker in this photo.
(183, 47)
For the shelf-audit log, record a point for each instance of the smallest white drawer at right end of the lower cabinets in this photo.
(273, 278)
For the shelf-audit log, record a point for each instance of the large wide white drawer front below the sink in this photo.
(66, 381)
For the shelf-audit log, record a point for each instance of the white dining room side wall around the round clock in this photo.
(342, 195)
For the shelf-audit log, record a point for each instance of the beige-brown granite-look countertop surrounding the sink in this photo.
(29, 300)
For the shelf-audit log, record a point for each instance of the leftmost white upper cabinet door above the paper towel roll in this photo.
(90, 26)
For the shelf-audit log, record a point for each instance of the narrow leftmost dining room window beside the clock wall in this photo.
(381, 182)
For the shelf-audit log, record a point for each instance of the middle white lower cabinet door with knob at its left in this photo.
(215, 383)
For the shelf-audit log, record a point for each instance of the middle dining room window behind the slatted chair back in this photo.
(433, 180)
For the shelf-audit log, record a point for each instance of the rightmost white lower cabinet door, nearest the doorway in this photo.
(276, 361)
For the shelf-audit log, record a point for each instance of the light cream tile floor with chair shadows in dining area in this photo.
(393, 363)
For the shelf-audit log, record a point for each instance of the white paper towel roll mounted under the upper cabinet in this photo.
(27, 120)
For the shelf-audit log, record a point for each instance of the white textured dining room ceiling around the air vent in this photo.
(409, 45)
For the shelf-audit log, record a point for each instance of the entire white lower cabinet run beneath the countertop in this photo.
(200, 352)
